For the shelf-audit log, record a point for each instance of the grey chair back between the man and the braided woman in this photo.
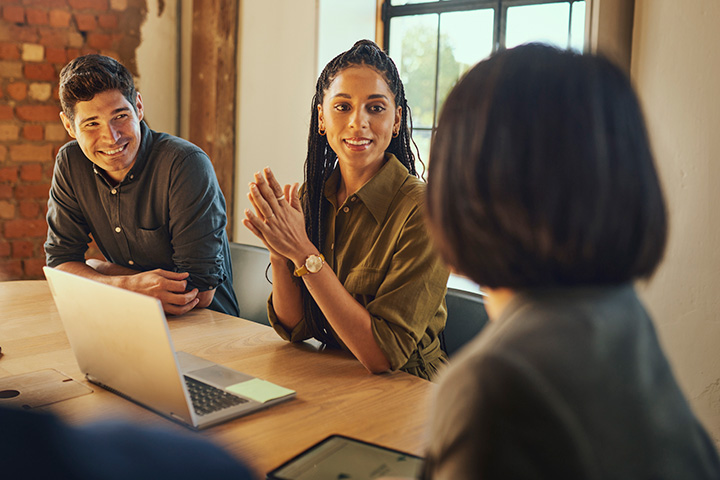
(251, 287)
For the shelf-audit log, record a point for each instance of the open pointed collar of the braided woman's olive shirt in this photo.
(379, 191)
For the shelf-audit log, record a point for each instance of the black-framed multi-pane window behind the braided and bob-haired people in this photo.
(434, 42)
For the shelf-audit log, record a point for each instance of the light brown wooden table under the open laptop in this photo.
(335, 394)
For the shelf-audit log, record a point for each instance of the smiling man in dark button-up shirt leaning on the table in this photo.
(150, 200)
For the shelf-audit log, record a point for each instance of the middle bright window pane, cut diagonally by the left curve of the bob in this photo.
(465, 39)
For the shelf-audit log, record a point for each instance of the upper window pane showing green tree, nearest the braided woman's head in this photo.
(413, 47)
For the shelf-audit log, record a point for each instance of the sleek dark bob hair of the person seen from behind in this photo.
(541, 174)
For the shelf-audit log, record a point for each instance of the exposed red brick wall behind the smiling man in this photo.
(37, 38)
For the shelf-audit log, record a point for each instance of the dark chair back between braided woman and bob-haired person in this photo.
(466, 317)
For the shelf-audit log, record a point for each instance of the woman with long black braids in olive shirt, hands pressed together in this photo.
(351, 259)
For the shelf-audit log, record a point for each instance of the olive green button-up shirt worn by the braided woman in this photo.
(378, 246)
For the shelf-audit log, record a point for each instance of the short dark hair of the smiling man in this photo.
(88, 75)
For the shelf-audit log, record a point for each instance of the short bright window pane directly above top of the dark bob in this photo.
(546, 23)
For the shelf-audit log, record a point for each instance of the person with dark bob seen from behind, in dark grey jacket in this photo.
(542, 188)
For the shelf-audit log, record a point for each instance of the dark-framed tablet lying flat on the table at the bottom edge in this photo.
(339, 457)
